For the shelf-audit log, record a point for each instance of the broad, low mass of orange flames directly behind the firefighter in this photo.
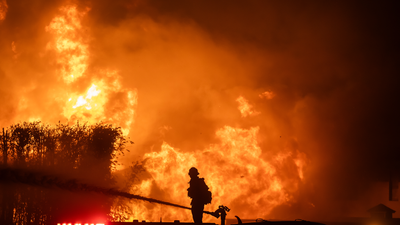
(234, 170)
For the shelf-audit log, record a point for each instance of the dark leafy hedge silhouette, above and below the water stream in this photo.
(81, 151)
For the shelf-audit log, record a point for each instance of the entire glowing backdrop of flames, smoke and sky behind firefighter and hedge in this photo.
(287, 108)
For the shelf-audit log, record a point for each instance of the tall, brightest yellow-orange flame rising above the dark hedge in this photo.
(97, 102)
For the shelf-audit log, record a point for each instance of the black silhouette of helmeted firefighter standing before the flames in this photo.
(199, 193)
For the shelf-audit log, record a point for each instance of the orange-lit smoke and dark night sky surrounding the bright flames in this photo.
(332, 65)
